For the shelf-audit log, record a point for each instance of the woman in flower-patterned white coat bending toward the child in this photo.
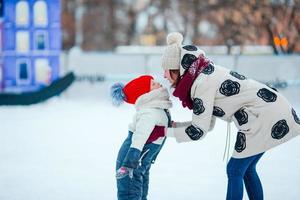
(263, 117)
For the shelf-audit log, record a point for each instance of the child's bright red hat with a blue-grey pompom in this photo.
(131, 91)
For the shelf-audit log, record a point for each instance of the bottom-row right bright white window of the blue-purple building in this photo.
(42, 71)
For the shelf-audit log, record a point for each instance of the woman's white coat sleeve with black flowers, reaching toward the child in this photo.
(202, 119)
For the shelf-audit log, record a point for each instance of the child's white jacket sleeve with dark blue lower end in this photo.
(144, 127)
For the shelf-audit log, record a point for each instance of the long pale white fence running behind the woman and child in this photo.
(259, 67)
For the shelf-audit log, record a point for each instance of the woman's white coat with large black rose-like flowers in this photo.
(264, 118)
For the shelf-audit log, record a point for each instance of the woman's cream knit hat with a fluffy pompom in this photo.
(172, 54)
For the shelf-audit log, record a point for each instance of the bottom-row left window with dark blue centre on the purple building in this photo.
(23, 72)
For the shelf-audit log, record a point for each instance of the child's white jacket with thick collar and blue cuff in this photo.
(149, 123)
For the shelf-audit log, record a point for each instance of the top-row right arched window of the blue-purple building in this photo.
(40, 13)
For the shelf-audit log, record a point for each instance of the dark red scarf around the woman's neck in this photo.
(184, 85)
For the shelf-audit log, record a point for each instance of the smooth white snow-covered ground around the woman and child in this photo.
(65, 149)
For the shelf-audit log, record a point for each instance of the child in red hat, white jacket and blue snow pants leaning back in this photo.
(146, 134)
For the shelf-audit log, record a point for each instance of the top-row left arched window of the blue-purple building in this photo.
(22, 13)
